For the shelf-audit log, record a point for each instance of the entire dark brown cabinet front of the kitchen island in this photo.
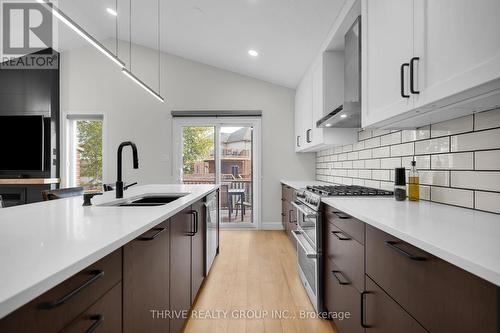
(148, 285)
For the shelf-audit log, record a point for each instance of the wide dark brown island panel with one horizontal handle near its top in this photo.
(146, 281)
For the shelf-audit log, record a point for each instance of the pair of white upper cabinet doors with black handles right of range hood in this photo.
(428, 60)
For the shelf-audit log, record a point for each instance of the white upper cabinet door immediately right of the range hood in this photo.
(387, 47)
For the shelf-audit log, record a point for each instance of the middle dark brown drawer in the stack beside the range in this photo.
(347, 254)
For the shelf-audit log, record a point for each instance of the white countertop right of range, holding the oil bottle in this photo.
(466, 238)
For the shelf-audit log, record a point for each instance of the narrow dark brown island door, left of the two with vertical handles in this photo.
(181, 229)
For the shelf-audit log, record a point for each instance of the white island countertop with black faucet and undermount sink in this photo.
(45, 243)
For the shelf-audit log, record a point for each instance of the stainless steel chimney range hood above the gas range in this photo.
(348, 115)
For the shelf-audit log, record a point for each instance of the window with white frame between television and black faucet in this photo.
(85, 152)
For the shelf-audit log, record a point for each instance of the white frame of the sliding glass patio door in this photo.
(218, 122)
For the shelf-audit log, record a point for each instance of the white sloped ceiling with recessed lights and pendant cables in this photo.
(287, 33)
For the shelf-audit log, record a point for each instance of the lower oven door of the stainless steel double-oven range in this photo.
(308, 266)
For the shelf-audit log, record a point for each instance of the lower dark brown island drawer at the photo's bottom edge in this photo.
(104, 316)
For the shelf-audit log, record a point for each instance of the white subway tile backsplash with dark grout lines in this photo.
(458, 160)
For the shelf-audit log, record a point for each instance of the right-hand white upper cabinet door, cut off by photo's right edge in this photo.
(458, 46)
